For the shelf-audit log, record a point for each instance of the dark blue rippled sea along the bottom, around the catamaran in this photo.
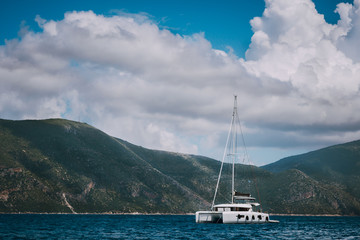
(97, 226)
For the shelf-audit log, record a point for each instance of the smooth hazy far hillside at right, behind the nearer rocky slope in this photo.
(337, 165)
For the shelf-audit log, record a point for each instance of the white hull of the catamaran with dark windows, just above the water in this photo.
(231, 217)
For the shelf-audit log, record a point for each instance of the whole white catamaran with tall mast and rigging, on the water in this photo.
(241, 208)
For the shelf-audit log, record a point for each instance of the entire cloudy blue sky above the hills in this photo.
(162, 74)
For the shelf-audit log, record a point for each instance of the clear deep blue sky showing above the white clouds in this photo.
(225, 23)
